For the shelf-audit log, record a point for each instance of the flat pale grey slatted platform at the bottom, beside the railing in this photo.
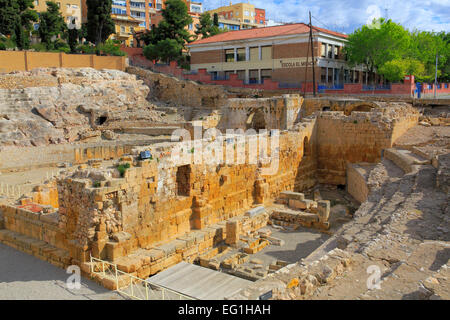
(198, 282)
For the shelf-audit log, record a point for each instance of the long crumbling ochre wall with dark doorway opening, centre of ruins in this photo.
(147, 203)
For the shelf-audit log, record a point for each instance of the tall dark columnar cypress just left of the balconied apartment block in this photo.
(99, 23)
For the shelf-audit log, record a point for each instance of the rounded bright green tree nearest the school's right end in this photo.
(373, 46)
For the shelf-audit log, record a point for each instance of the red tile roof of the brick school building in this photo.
(287, 29)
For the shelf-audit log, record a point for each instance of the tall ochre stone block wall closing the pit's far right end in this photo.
(359, 137)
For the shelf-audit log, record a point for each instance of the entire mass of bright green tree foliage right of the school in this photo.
(391, 50)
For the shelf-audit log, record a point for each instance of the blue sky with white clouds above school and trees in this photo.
(347, 15)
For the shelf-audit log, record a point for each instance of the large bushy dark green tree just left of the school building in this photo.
(171, 32)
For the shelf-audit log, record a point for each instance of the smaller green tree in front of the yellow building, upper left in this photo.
(51, 25)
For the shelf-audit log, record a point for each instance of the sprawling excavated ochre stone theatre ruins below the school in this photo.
(129, 175)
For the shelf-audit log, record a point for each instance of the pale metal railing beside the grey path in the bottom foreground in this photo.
(134, 287)
